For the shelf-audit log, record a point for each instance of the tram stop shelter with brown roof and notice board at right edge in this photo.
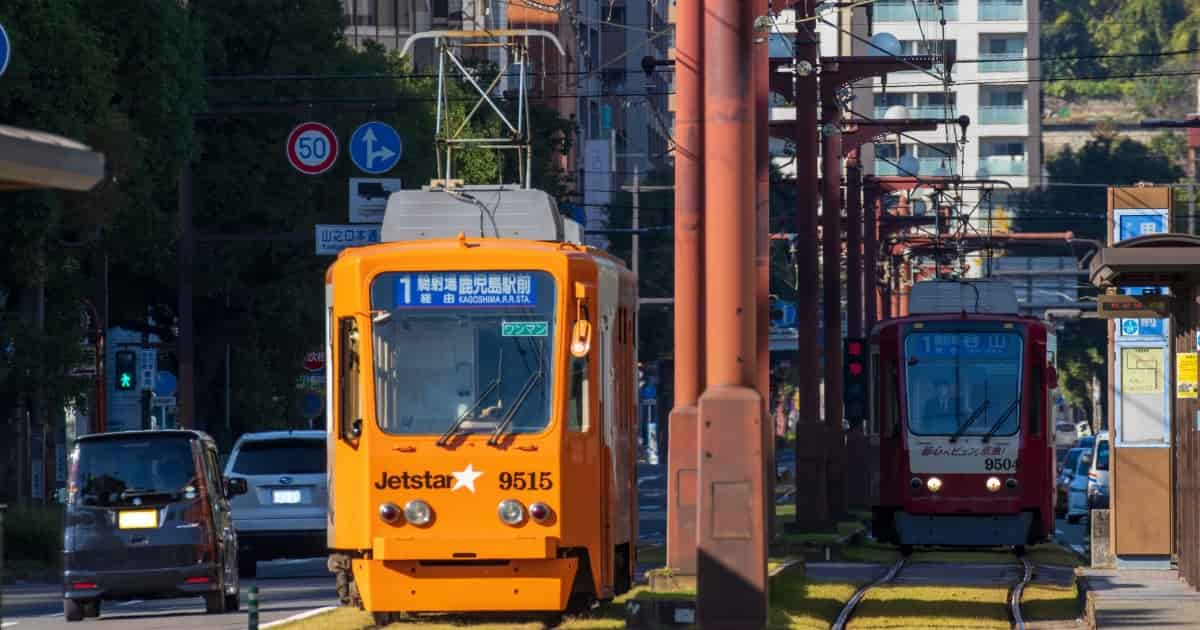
(1154, 413)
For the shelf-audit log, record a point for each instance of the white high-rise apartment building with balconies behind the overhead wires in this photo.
(995, 44)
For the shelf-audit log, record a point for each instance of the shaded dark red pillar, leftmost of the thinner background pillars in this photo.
(812, 496)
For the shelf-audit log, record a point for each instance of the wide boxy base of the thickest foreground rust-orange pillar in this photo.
(733, 551)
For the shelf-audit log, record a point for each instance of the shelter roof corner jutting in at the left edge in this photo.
(35, 160)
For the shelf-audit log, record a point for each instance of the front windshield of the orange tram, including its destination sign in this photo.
(471, 351)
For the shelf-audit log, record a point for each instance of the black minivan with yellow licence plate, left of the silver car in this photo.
(148, 518)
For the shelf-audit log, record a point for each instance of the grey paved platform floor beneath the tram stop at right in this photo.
(1131, 599)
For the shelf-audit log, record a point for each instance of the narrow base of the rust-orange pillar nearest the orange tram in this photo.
(682, 490)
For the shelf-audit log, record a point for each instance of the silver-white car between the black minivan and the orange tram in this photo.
(283, 514)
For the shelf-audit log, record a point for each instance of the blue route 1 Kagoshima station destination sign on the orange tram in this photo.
(453, 289)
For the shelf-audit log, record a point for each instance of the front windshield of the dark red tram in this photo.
(964, 383)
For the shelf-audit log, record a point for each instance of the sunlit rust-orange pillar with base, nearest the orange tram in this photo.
(689, 304)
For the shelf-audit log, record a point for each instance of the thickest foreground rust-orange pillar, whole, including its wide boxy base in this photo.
(731, 555)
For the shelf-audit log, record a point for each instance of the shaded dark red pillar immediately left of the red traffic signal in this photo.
(831, 247)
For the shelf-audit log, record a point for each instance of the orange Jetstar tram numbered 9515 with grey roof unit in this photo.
(482, 411)
